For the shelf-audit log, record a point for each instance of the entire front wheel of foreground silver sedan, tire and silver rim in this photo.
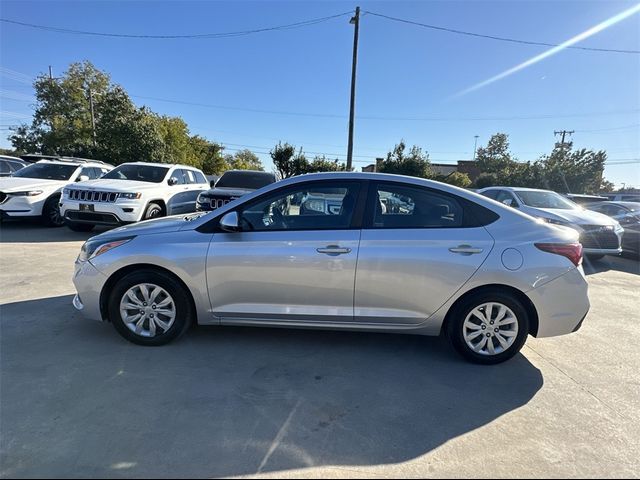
(150, 308)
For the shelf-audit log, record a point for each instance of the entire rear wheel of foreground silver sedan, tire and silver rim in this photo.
(488, 327)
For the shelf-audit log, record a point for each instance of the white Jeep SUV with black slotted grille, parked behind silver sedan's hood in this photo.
(132, 192)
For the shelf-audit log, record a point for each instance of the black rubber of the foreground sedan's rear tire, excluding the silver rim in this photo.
(457, 317)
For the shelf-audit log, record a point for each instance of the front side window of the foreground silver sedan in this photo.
(304, 208)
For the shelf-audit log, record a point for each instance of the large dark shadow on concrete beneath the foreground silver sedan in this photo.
(77, 400)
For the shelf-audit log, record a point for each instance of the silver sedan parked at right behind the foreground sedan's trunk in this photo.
(600, 235)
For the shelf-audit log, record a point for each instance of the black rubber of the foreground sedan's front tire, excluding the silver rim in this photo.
(184, 313)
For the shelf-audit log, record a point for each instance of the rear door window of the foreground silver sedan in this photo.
(399, 206)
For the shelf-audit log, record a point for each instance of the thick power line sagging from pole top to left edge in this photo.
(240, 33)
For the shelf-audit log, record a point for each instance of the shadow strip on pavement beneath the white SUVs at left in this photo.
(30, 231)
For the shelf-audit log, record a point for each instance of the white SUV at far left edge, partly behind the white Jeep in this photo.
(34, 191)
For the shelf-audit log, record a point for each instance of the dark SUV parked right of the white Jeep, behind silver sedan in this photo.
(233, 184)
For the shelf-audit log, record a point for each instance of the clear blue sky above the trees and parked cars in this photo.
(406, 74)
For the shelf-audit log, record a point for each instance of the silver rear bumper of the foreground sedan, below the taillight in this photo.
(562, 304)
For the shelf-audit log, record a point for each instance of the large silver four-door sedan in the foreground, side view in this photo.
(443, 259)
